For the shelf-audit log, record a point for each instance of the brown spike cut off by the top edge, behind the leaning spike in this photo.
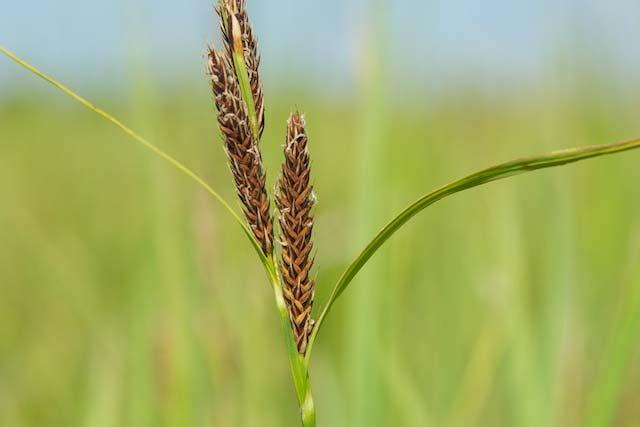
(236, 8)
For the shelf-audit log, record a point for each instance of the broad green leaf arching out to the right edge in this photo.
(502, 171)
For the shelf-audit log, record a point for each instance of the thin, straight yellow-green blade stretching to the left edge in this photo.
(142, 141)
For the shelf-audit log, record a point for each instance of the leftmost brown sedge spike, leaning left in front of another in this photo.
(242, 149)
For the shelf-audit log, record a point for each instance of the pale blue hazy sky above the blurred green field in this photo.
(493, 42)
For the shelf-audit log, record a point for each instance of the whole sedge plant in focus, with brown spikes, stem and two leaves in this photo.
(286, 251)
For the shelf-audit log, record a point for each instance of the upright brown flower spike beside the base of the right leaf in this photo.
(295, 201)
